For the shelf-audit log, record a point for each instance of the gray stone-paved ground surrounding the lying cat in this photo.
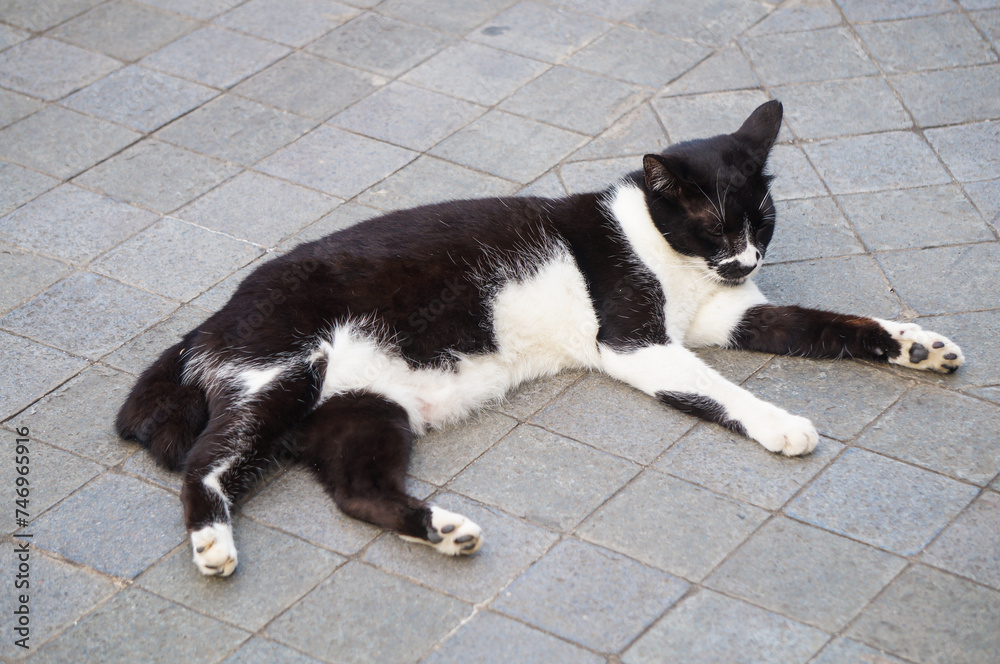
(152, 153)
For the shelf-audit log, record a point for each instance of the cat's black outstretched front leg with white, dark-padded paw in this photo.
(793, 330)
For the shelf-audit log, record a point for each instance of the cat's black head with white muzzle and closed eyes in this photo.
(710, 198)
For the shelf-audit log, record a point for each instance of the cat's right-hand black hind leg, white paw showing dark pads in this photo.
(359, 446)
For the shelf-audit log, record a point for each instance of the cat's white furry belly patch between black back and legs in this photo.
(542, 325)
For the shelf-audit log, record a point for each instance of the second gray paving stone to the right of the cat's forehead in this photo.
(876, 162)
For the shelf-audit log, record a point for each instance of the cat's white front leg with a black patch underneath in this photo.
(677, 377)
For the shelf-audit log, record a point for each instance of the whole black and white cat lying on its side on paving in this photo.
(359, 342)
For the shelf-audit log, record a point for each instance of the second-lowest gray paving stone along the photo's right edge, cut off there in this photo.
(969, 545)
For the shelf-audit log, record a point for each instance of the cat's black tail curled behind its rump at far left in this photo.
(162, 413)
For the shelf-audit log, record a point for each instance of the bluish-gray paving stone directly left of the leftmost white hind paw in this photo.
(146, 520)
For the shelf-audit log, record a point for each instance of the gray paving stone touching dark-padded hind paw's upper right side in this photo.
(544, 478)
